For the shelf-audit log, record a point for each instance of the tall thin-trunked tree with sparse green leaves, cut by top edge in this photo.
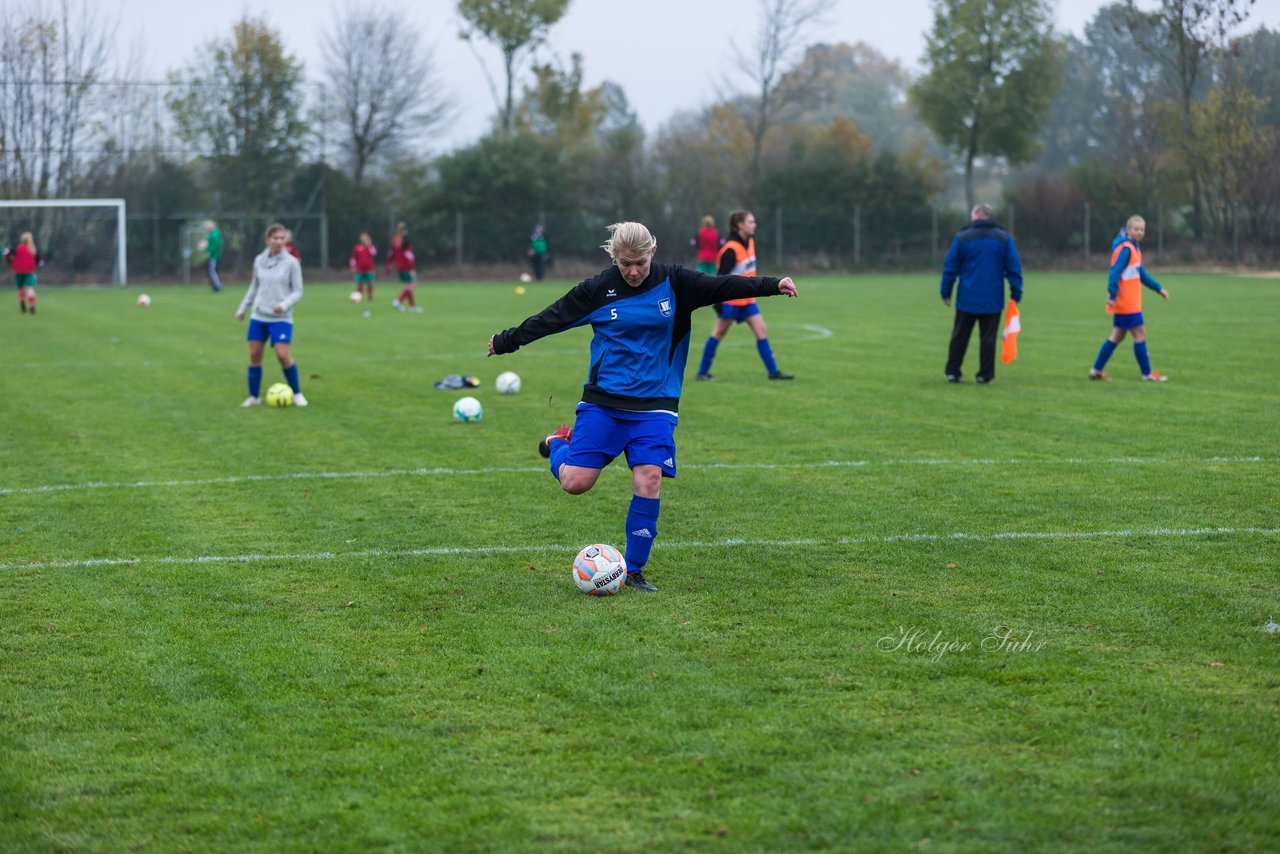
(516, 28)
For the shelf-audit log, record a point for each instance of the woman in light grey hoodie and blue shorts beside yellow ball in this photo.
(276, 289)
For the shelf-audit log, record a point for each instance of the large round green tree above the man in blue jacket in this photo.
(994, 68)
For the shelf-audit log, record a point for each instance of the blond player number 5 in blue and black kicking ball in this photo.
(641, 316)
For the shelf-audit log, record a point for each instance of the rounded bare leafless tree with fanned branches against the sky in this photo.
(386, 84)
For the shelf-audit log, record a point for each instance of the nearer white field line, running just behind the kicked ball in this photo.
(258, 558)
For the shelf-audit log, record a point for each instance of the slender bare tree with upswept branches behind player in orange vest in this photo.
(784, 29)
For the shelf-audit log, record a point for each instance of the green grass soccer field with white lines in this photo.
(893, 613)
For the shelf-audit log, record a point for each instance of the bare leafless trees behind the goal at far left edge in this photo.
(51, 61)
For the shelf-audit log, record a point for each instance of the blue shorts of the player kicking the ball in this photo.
(602, 433)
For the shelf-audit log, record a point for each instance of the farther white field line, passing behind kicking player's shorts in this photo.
(445, 472)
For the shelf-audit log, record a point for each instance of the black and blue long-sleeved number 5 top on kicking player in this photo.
(642, 334)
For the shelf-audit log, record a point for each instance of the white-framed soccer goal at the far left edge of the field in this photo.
(81, 241)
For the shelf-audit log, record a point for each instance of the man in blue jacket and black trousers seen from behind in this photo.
(982, 255)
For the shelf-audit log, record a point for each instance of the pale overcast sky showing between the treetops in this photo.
(669, 56)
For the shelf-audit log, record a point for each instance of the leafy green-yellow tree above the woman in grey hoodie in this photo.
(240, 104)
